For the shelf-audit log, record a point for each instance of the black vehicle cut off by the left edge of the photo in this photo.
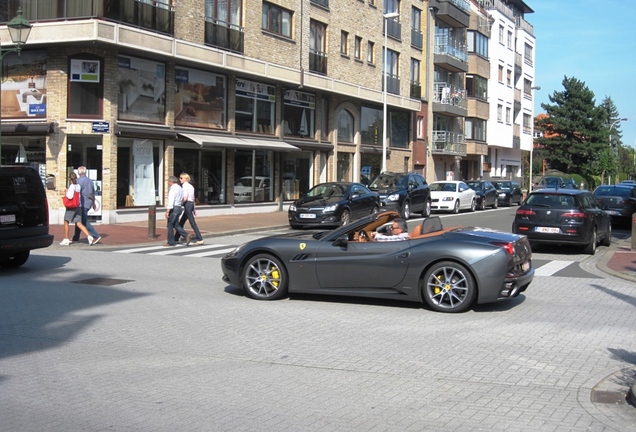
(24, 215)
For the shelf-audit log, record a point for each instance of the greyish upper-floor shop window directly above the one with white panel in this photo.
(142, 88)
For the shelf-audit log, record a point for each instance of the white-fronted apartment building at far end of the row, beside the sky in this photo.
(511, 86)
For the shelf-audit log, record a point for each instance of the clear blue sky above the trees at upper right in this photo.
(592, 41)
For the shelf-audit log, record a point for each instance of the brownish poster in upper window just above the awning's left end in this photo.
(200, 99)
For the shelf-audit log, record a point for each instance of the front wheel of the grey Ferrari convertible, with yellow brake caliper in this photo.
(265, 278)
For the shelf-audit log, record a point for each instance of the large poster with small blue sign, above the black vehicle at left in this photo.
(23, 86)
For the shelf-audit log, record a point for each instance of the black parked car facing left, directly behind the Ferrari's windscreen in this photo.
(333, 204)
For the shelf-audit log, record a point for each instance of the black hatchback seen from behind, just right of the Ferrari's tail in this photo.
(563, 217)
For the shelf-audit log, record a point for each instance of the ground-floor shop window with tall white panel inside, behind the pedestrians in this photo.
(139, 178)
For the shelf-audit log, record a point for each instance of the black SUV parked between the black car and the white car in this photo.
(405, 193)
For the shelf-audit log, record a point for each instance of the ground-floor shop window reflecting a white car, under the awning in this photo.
(252, 176)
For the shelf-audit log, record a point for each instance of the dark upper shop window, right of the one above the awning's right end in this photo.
(299, 113)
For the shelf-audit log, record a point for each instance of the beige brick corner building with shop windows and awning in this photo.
(256, 100)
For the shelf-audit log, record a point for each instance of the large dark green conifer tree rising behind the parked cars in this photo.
(574, 130)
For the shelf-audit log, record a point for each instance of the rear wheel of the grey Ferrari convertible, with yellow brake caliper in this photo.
(448, 287)
